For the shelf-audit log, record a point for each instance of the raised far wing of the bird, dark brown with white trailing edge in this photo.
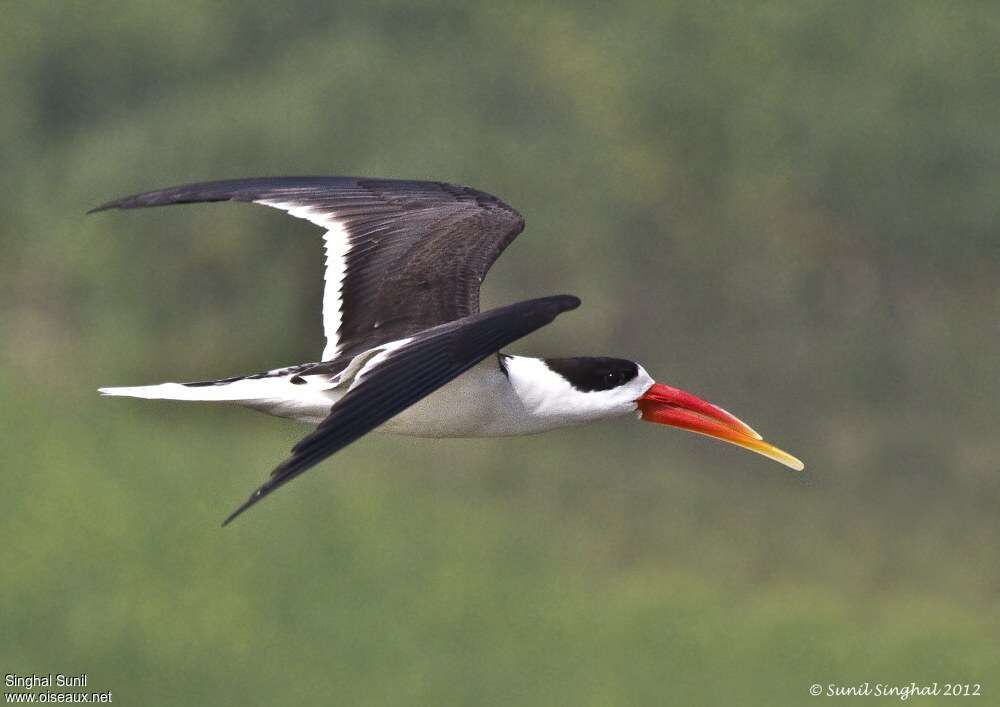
(401, 256)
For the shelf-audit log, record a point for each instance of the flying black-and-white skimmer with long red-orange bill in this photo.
(408, 350)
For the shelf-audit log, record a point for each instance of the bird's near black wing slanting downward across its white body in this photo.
(408, 373)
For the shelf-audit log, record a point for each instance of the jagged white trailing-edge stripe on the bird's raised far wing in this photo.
(337, 243)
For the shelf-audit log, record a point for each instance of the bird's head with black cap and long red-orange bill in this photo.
(619, 386)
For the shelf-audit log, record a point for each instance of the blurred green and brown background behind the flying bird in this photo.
(789, 208)
